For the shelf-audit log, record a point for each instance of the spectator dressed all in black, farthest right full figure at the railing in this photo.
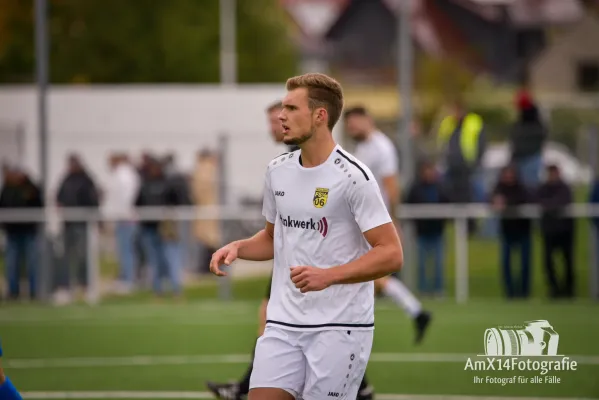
(558, 231)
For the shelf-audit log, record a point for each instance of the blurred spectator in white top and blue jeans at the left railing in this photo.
(122, 190)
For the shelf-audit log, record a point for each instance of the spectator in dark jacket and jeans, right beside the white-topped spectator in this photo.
(161, 239)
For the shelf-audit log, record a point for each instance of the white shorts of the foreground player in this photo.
(312, 365)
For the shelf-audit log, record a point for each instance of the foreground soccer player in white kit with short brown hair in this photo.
(330, 234)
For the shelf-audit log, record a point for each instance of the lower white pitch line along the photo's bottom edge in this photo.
(206, 395)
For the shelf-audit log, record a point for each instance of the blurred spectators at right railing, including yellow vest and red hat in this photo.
(525, 180)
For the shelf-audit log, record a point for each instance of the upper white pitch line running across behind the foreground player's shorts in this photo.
(89, 362)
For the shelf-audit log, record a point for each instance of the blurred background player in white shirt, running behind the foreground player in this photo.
(378, 152)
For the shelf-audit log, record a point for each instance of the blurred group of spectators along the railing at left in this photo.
(154, 248)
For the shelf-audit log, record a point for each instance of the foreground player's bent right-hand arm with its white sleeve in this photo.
(386, 254)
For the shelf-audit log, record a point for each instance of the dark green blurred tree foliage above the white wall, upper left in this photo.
(139, 41)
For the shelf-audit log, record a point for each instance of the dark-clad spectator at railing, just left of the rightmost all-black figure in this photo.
(508, 194)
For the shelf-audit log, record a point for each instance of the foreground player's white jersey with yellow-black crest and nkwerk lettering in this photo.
(319, 215)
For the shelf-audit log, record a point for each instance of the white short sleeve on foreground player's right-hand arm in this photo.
(368, 207)
